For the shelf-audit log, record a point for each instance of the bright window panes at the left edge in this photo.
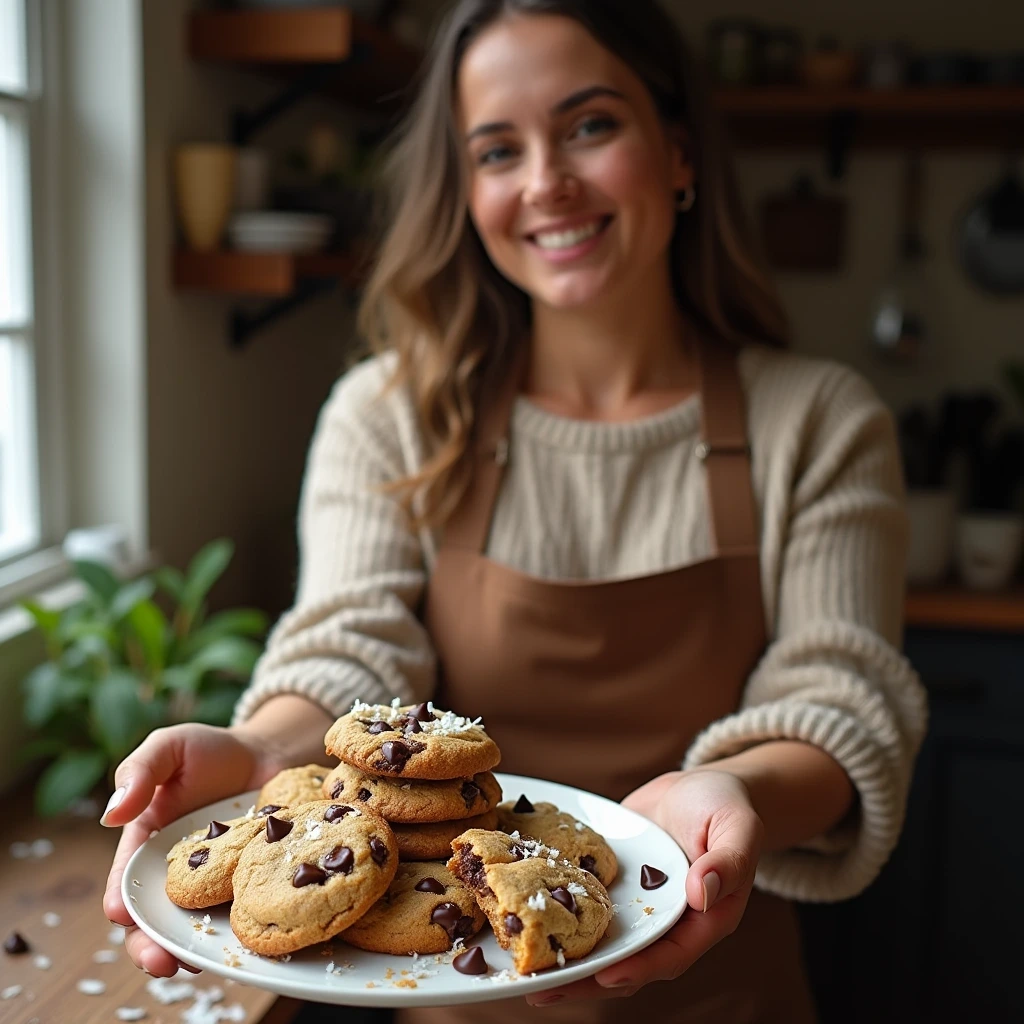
(20, 514)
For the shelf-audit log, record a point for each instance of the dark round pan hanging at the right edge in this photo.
(992, 238)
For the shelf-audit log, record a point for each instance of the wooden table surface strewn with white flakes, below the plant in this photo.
(70, 883)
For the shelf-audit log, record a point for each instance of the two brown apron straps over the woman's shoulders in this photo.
(724, 450)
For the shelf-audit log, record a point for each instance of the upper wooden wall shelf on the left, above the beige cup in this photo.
(373, 67)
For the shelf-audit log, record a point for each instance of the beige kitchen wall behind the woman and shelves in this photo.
(228, 432)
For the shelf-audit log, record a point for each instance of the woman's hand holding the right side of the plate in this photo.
(710, 816)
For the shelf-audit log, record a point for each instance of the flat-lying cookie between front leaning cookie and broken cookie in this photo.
(425, 910)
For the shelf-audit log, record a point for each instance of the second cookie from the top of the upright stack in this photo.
(414, 800)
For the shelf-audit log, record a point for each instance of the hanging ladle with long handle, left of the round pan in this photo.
(899, 325)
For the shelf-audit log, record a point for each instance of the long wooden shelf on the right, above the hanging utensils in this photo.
(952, 118)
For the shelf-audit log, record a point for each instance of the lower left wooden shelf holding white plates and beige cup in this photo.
(267, 275)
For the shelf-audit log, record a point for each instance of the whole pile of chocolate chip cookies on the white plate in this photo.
(403, 848)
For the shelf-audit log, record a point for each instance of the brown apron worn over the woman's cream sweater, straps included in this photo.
(604, 686)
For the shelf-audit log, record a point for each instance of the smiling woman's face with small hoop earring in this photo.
(573, 177)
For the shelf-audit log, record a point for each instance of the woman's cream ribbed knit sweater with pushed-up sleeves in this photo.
(828, 483)
